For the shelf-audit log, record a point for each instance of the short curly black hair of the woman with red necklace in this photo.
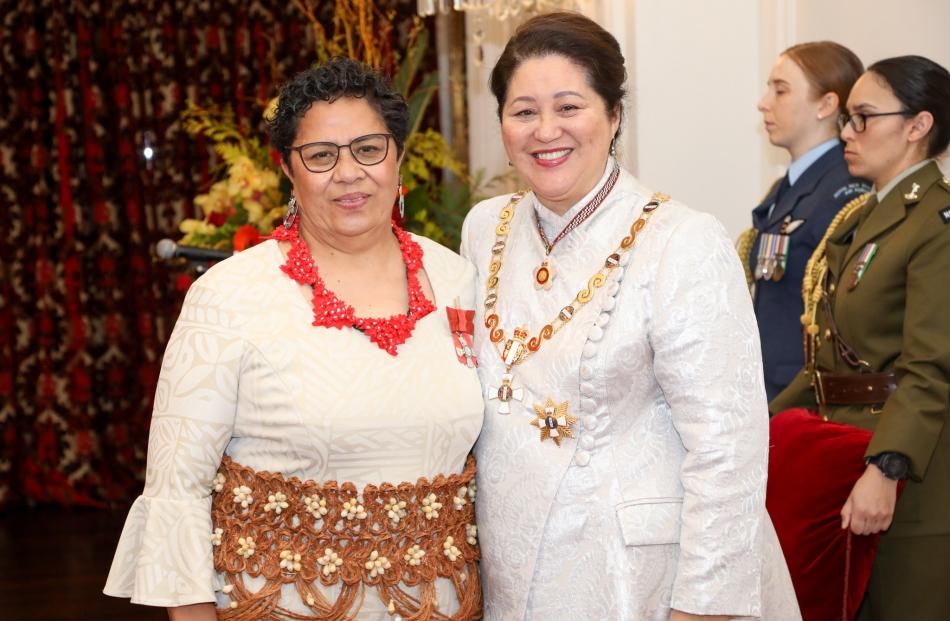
(338, 77)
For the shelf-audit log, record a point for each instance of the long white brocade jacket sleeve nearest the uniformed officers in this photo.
(707, 360)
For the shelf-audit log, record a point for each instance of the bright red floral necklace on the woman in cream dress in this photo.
(331, 312)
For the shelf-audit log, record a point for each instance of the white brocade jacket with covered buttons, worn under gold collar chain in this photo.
(658, 502)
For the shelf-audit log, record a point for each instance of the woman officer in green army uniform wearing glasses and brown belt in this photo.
(877, 325)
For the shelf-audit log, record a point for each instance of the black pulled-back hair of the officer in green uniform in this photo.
(920, 84)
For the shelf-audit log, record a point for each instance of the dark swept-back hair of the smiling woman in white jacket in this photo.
(575, 37)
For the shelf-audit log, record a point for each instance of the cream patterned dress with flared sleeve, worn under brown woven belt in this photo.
(246, 374)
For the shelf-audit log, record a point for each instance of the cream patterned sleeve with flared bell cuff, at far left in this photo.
(164, 555)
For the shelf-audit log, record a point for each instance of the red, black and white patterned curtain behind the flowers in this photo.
(84, 310)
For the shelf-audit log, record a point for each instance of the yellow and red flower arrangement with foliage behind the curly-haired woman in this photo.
(251, 197)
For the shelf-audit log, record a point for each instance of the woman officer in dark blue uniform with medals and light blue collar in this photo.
(807, 90)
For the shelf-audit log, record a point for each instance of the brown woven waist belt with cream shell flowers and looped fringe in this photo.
(307, 534)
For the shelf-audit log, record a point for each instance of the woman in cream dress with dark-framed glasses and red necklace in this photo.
(309, 450)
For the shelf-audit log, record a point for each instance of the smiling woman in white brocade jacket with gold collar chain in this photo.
(622, 463)
